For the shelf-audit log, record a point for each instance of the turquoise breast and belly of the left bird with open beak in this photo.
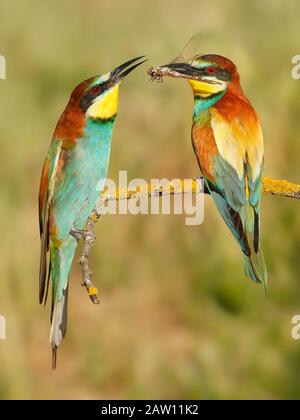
(83, 177)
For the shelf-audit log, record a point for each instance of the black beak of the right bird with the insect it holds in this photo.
(183, 70)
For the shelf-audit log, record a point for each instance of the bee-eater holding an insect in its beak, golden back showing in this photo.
(228, 143)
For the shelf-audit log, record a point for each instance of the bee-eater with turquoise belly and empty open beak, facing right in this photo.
(73, 176)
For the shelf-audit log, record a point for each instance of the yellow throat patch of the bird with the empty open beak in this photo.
(106, 106)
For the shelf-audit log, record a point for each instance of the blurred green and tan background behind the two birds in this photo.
(178, 318)
